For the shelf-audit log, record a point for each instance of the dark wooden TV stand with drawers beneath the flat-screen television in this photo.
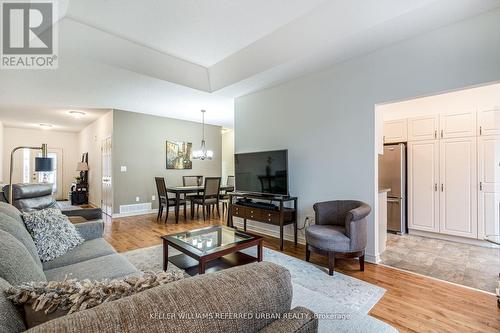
(279, 216)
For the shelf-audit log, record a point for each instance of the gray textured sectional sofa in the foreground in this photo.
(252, 289)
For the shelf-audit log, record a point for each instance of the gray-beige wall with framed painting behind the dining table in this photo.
(139, 144)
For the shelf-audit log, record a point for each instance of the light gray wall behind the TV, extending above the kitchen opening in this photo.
(327, 121)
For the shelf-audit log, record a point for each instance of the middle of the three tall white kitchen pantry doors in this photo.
(458, 187)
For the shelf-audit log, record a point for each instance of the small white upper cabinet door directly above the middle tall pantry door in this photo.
(457, 124)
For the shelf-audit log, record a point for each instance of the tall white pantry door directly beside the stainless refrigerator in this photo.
(423, 178)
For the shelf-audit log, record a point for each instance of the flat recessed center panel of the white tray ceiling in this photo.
(202, 32)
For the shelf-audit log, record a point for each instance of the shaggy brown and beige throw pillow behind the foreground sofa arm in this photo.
(44, 301)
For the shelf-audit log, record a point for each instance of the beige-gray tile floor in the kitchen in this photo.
(469, 265)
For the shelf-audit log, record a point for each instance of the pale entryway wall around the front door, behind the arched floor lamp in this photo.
(66, 141)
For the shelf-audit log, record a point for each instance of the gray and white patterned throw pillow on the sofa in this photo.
(52, 232)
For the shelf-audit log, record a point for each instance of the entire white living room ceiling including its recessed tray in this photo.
(175, 57)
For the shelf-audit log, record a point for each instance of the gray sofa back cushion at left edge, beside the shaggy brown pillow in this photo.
(16, 264)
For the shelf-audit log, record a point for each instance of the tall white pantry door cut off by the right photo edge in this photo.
(489, 186)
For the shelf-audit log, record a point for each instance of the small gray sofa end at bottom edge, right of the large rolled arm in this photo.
(297, 320)
